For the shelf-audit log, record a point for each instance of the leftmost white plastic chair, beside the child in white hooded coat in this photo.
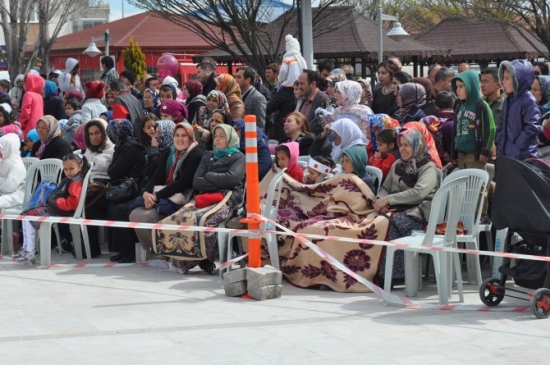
(48, 169)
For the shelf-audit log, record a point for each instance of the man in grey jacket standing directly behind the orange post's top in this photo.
(254, 101)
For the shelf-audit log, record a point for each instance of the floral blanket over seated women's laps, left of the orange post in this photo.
(185, 245)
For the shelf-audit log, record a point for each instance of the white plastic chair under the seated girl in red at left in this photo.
(45, 232)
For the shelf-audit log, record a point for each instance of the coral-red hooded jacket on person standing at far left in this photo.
(32, 107)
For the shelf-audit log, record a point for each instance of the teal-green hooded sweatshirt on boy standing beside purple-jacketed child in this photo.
(474, 127)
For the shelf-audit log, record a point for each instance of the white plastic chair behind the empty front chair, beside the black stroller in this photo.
(478, 181)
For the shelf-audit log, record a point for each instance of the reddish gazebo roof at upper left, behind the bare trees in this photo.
(150, 31)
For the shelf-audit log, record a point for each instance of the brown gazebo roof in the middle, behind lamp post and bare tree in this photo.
(357, 36)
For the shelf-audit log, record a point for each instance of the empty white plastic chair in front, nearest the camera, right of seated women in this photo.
(449, 198)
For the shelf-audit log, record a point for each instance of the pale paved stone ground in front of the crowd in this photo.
(136, 315)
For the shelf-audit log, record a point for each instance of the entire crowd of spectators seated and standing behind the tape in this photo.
(183, 146)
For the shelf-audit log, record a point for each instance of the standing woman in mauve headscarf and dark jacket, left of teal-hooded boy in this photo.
(410, 99)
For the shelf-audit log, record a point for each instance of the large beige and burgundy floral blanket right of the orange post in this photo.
(340, 206)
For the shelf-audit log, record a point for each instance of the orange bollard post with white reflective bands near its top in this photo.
(252, 189)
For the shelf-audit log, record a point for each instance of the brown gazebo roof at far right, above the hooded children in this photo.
(482, 41)
